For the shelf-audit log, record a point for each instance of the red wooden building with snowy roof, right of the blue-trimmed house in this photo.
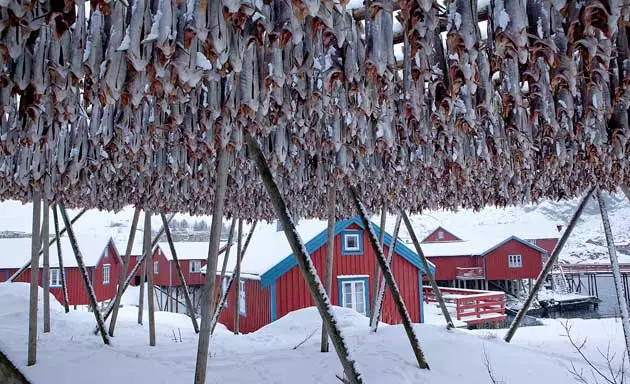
(489, 255)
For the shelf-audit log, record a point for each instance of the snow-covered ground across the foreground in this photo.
(71, 353)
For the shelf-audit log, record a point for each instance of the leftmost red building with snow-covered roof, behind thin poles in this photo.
(100, 257)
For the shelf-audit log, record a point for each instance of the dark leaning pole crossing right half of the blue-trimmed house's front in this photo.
(391, 282)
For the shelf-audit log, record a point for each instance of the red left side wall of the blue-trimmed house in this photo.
(258, 313)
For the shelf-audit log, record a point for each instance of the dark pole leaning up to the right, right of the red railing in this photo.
(548, 267)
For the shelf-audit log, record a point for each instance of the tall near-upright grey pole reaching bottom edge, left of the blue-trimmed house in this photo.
(211, 266)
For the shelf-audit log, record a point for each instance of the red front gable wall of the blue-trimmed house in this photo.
(292, 292)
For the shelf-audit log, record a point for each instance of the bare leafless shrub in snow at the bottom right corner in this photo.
(594, 374)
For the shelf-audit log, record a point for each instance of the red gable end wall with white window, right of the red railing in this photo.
(497, 262)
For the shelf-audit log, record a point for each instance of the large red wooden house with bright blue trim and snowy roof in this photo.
(272, 285)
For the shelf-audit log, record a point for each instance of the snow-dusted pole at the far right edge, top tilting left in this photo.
(619, 288)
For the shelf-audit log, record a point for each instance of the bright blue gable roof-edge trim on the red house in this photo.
(318, 241)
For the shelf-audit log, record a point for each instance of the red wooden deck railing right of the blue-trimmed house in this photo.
(471, 304)
